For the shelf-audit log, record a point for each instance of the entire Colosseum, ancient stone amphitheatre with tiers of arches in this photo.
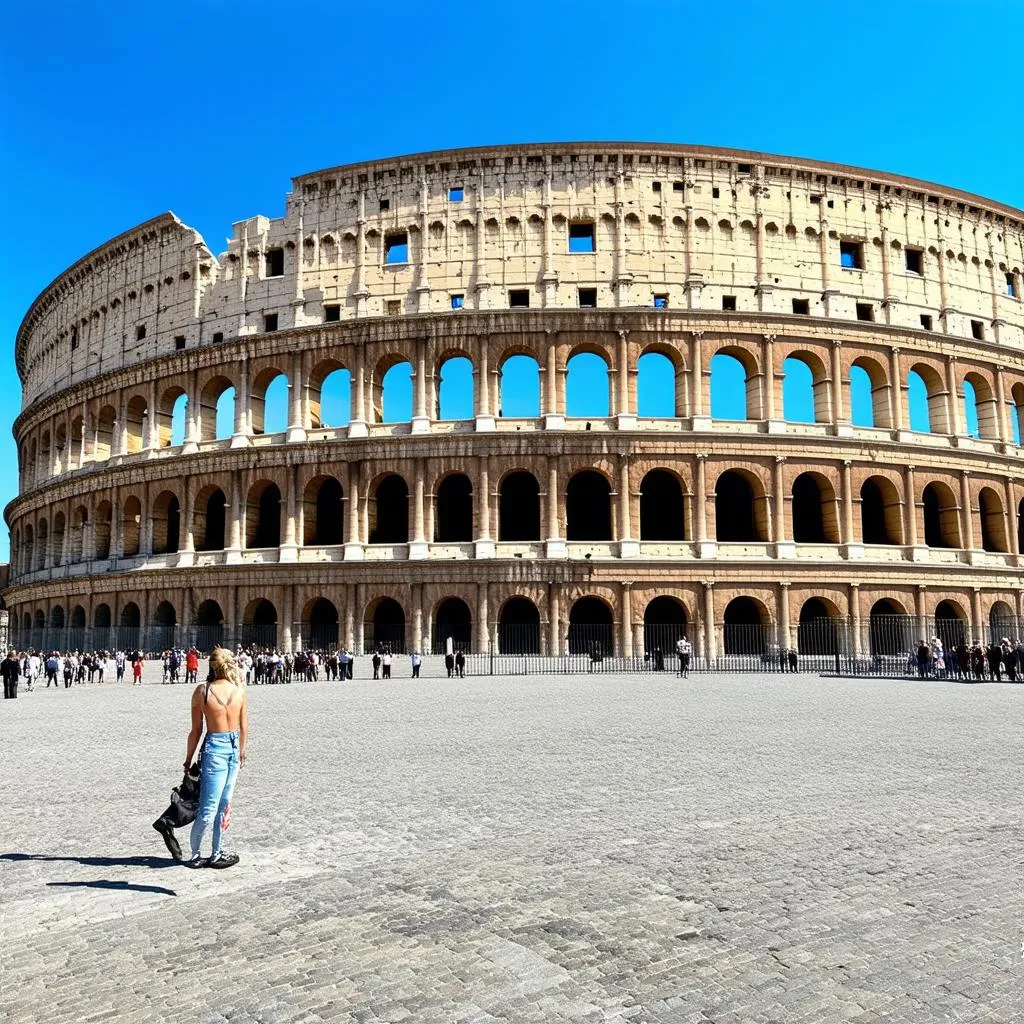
(655, 390)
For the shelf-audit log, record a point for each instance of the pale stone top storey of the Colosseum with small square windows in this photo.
(698, 228)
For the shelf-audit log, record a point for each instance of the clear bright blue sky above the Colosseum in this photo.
(113, 113)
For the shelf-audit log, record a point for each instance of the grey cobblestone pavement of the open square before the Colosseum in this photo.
(724, 849)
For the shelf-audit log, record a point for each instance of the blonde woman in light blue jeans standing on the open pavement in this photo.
(221, 705)
